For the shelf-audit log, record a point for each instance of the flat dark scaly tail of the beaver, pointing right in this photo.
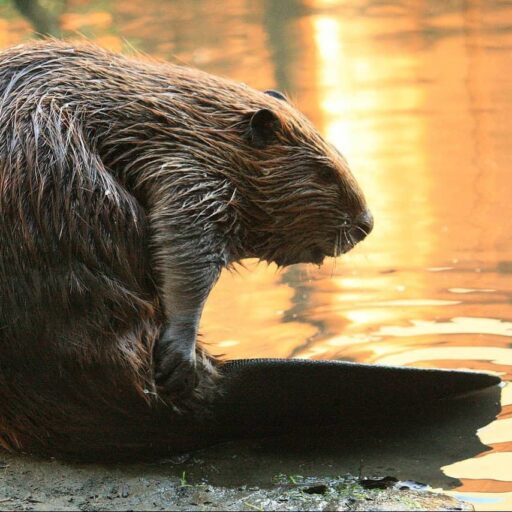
(264, 396)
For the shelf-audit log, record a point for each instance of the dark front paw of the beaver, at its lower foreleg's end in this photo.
(176, 372)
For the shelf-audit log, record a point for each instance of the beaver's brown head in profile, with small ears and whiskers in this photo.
(304, 202)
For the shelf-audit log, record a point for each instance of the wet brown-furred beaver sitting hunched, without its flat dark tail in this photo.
(126, 186)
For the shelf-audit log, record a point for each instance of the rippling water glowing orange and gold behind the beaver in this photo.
(418, 97)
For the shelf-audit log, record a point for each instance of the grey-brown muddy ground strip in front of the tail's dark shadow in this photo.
(31, 484)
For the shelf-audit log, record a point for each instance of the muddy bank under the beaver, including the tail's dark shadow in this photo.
(325, 470)
